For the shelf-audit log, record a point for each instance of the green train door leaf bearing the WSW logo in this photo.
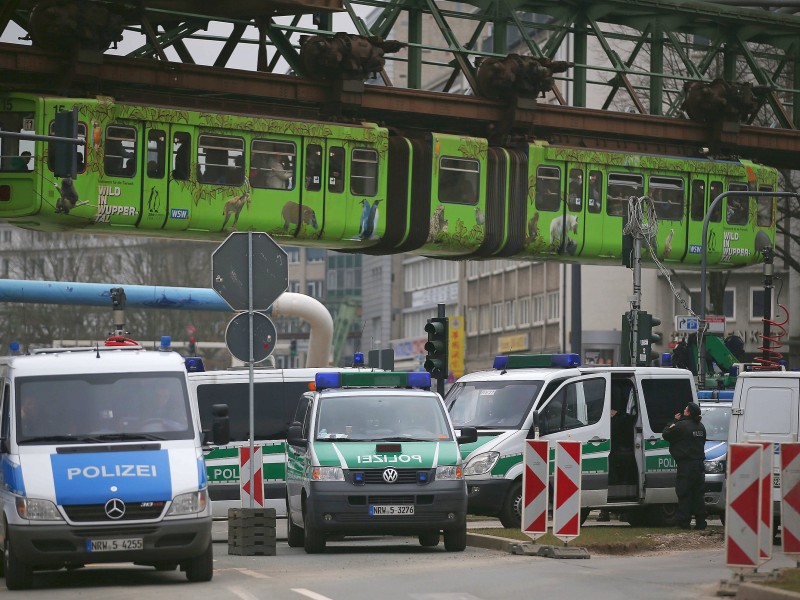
(177, 203)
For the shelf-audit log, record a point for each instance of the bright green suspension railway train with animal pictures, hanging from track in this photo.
(155, 171)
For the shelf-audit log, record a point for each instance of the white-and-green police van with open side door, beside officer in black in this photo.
(626, 463)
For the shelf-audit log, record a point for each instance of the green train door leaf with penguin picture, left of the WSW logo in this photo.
(154, 178)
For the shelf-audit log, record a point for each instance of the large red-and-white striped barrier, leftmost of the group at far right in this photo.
(742, 514)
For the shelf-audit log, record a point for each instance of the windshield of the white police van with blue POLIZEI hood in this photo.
(98, 408)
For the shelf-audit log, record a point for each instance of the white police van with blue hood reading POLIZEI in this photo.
(101, 463)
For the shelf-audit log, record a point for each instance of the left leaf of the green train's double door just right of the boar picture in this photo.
(308, 218)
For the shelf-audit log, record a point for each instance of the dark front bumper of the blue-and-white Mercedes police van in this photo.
(53, 546)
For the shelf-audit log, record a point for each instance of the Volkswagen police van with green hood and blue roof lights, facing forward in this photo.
(374, 453)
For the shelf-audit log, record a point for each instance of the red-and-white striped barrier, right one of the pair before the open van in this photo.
(567, 505)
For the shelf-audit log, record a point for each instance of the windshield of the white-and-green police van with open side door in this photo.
(491, 404)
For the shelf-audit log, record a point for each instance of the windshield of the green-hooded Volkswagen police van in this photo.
(385, 417)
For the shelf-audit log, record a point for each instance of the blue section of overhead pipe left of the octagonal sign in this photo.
(99, 294)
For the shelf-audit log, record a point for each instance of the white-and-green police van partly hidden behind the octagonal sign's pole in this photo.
(276, 393)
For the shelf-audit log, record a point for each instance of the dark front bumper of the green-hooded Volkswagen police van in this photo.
(336, 507)
